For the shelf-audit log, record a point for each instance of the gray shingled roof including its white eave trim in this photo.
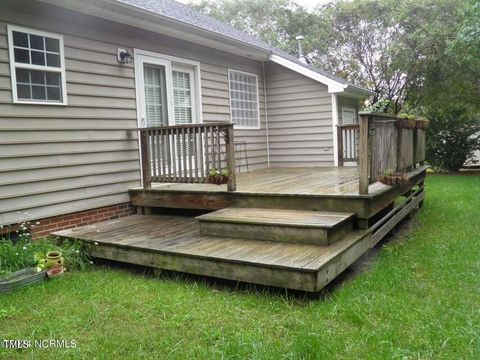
(181, 20)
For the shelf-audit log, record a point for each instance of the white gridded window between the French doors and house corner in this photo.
(244, 104)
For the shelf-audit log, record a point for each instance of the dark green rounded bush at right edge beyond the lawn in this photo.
(452, 137)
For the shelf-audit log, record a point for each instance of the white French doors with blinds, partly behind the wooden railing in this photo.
(166, 97)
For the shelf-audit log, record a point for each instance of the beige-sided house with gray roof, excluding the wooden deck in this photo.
(69, 108)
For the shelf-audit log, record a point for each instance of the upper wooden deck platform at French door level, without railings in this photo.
(316, 189)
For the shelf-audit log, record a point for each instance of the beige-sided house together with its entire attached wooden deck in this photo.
(113, 107)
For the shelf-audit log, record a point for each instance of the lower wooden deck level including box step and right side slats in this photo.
(177, 243)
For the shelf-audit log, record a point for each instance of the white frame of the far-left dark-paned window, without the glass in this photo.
(14, 65)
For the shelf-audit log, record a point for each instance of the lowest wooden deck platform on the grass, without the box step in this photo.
(174, 243)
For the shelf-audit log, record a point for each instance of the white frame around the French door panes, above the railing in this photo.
(173, 62)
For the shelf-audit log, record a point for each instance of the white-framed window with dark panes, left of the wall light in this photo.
(37, 66)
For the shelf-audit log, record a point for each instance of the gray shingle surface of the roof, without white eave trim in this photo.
(183, 13)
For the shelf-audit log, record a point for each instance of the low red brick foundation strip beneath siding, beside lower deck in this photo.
(43, 227)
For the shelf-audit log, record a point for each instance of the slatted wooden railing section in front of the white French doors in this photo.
(187, 153)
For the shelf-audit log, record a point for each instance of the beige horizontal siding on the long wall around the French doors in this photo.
(60, 159)
